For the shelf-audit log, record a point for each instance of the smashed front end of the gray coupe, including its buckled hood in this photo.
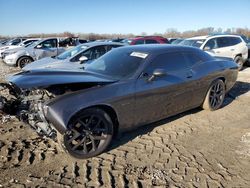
(26, 94)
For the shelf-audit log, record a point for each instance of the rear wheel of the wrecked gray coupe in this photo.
(215, 96)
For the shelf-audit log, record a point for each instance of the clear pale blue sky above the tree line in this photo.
(18, 17)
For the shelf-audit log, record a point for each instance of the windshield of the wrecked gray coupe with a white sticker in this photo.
(118, 63)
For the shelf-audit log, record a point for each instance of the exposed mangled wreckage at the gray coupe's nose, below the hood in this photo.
(27, 106)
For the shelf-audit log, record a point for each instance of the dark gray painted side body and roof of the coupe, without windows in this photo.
(137, 101)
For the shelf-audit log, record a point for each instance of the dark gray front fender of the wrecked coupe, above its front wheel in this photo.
(118, 96)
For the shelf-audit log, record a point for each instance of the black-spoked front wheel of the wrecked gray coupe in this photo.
(89, 134)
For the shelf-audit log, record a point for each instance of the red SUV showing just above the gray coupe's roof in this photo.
(146, 40)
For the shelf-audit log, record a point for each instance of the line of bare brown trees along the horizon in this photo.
(170, 33)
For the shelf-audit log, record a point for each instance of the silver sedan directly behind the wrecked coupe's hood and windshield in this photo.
(84, 53)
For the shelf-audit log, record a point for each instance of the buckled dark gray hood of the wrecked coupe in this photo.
(44, 78)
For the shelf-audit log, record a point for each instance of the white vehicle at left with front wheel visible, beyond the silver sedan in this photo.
(40, 49)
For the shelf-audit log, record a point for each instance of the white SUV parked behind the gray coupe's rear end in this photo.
(229, 46)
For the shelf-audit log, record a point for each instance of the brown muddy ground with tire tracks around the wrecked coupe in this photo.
(194, 149)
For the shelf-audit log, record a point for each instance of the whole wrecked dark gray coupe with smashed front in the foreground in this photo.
(83, 108)
